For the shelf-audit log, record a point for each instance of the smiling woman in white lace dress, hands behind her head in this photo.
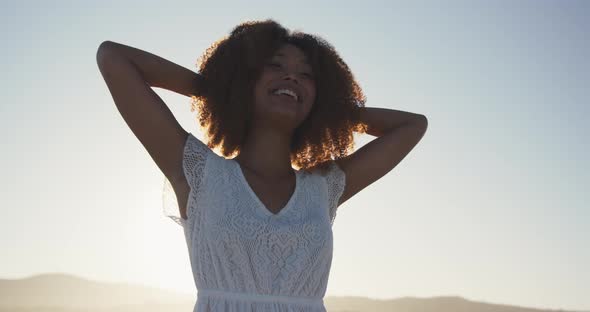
(259, 232)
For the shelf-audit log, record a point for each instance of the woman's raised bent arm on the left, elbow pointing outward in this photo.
(129, 74)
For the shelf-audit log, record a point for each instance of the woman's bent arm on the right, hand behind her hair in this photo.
(397, 134)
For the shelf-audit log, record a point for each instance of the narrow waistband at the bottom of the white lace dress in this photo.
(259, 297)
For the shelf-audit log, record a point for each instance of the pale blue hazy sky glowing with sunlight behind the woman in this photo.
(491, 205)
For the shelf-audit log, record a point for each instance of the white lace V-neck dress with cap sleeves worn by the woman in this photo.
(243, 256)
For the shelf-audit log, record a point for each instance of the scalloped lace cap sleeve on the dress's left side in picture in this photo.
(194, 158)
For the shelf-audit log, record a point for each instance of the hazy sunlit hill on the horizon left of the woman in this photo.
(68, 293)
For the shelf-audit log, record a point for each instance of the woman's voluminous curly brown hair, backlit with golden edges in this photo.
(231, 66)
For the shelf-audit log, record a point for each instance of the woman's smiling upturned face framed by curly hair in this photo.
(286, 90)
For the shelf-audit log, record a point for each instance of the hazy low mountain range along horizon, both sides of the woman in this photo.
(68, 293)
